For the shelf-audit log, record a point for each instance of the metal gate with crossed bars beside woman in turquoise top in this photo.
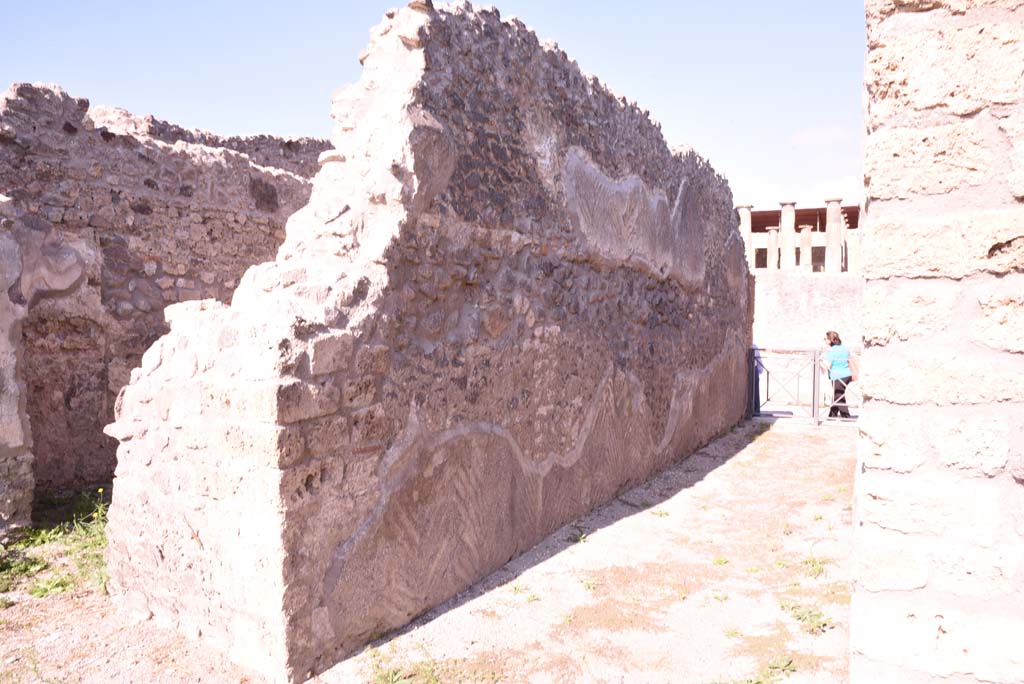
(791, 383)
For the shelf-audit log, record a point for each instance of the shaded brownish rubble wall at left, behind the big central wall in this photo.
(155, 224)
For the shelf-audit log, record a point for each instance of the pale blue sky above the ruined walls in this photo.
(771, 93)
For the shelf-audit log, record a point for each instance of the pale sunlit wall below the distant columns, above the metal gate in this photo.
(793, 311)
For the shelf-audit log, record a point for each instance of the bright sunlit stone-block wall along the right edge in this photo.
(940, 514)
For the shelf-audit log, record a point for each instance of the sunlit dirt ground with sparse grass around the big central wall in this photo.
(732, 567)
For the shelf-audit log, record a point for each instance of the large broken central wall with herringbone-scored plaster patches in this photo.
(506, 302)
